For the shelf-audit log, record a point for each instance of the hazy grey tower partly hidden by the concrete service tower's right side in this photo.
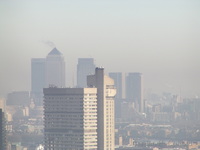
(117, 77)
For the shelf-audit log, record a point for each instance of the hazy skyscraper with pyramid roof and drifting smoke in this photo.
(55, 69)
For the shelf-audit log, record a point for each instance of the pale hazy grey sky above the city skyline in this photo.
(160, 38)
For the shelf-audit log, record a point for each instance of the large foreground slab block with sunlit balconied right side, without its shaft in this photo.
(70, 118)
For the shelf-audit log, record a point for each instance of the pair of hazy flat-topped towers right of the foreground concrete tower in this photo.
(133, 100)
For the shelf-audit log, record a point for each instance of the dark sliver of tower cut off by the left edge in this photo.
(2, 131)
